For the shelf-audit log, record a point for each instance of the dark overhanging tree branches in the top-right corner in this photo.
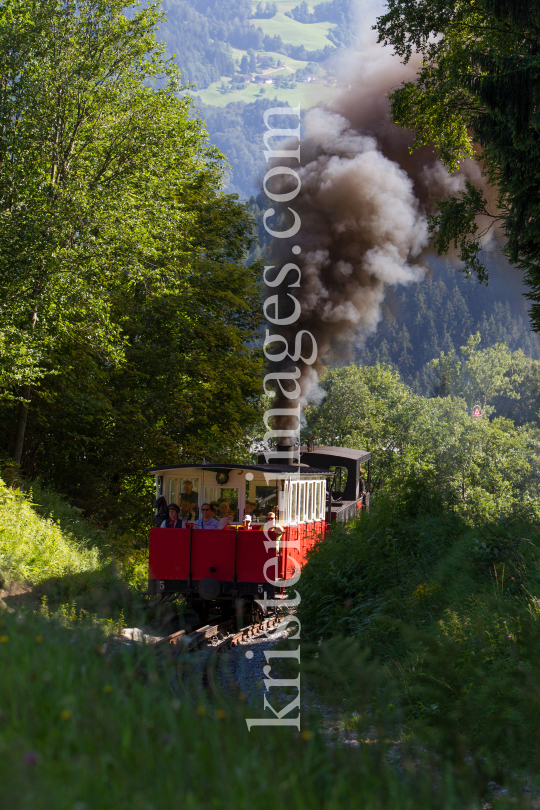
(476, 95)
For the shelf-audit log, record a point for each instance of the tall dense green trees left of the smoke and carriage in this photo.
(125, 295)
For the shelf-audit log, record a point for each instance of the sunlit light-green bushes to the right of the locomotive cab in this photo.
(430, 449)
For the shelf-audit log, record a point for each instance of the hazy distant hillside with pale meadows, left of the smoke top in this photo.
(220, 47)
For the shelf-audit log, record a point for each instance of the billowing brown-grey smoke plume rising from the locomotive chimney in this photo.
(363, 205)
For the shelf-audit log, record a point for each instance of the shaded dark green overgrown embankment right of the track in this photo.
(451, 614)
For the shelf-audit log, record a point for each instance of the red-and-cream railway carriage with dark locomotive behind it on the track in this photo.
(248, 556)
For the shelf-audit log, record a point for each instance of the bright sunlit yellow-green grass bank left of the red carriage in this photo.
(48, 547)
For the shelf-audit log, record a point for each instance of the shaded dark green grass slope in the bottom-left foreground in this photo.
(80, 729)
